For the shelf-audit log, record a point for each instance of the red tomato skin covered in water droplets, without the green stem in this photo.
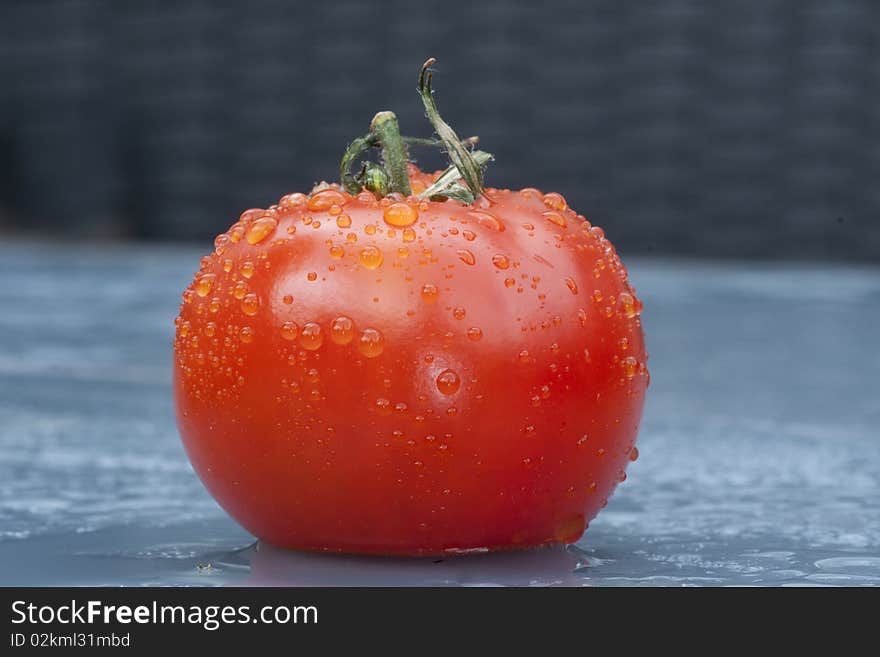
(474, 379)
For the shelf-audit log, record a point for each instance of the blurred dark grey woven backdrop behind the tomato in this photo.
(745, 129)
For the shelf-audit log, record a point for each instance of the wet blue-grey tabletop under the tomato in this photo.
(760, 448)
